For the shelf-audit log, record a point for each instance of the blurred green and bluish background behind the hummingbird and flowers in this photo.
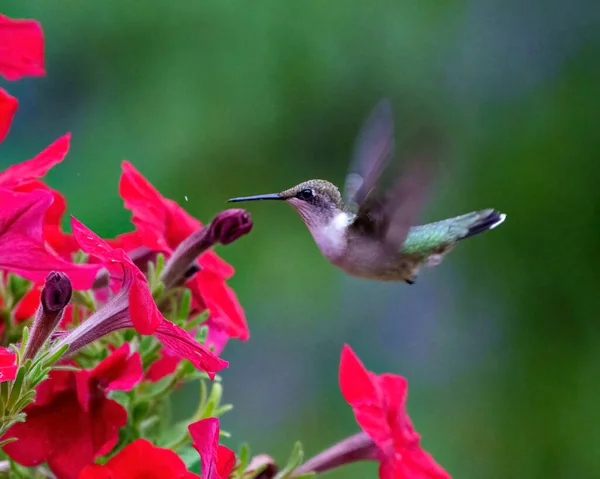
(214, 99)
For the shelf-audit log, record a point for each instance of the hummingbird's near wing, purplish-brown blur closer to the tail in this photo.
(388, 215)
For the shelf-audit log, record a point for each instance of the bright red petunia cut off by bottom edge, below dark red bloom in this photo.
(140, 460)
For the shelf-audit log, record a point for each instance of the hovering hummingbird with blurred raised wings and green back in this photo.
(369, 232)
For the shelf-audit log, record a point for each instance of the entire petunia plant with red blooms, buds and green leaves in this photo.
(87, 419)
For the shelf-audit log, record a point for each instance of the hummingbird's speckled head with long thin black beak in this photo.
(317, 201)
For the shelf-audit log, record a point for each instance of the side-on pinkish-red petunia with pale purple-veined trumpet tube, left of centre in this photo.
(133, 306)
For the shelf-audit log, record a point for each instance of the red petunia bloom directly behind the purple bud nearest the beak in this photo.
(161, 226)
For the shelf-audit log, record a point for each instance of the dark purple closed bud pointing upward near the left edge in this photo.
(55, 297)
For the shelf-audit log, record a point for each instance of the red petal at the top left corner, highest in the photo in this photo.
(21, 48)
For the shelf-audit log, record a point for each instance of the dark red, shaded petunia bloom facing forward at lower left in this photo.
(72, 421)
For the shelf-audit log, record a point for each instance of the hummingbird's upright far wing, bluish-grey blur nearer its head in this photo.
(373, 148)
